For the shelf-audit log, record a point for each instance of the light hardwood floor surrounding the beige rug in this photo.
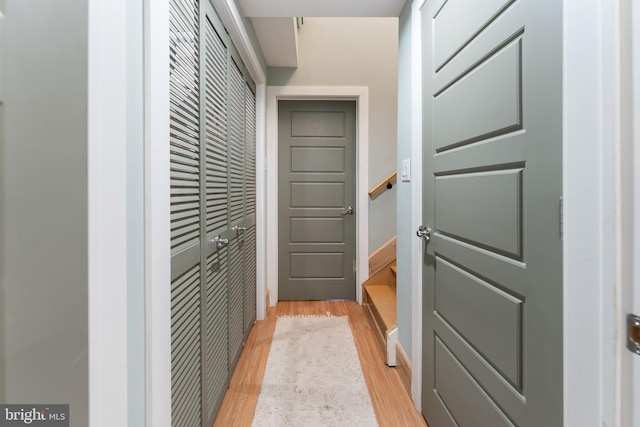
(392, 405)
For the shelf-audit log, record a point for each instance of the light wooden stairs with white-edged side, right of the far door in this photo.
(379, 297)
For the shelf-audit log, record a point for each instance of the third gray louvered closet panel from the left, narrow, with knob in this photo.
(236, 211)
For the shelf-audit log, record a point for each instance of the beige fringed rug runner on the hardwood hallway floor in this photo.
(313, 376)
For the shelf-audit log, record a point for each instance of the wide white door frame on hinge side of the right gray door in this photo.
(590, 142)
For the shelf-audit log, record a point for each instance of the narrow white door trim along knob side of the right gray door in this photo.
(416, 206)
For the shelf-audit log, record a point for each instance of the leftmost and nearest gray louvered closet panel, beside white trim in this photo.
(185, 214)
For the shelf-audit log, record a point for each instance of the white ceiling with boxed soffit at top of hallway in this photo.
(277, 32)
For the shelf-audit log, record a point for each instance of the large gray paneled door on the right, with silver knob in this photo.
(492, 323)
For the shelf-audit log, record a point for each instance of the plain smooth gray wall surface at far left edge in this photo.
(44, 205)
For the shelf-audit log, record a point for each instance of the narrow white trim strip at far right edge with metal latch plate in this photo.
(629, 204)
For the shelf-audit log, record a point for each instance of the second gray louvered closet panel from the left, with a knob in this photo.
(216, 365)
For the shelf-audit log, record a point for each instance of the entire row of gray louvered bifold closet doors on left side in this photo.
(212, 145)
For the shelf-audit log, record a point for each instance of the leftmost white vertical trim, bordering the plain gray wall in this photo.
(107, 215)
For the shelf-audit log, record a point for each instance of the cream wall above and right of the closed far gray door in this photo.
(357, 52)
